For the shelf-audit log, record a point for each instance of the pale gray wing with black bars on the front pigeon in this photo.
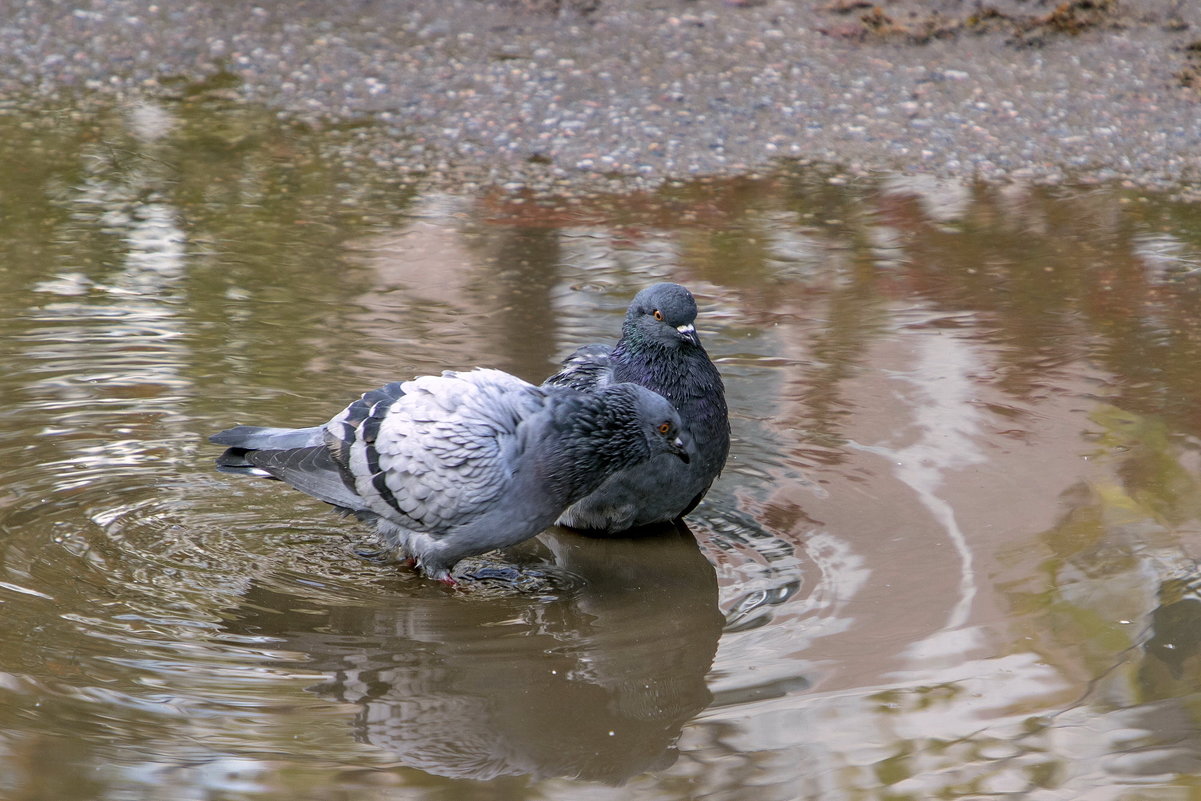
(435, 453)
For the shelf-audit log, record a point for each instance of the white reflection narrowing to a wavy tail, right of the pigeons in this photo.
(947, 426)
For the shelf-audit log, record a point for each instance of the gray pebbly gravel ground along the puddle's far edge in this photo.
(588, 89)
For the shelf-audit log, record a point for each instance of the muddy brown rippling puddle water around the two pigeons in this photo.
(954, 553)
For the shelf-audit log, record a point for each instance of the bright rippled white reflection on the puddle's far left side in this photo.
(107, 342)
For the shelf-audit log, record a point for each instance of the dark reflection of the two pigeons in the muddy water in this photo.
(594, 682)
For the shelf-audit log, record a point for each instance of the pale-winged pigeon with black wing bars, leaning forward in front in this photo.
(461, 464)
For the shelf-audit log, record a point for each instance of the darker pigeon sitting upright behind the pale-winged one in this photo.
(659, 350)
